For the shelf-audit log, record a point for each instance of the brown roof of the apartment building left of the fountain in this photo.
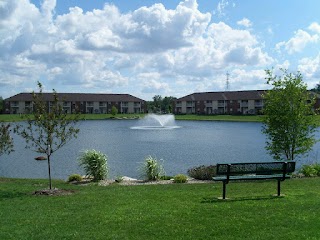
(78, 97)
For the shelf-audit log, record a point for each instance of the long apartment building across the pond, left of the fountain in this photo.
(82, 102)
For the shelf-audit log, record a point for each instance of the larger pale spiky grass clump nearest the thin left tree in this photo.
(94, 164)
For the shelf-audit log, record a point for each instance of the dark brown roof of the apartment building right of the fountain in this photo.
(227, 95)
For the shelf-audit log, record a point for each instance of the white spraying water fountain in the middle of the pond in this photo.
(157, 121)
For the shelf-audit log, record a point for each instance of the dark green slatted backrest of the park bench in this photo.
(263, 168)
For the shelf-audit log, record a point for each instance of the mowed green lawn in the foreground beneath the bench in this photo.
(174, 211)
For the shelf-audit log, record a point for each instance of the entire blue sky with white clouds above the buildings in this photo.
(147, 48)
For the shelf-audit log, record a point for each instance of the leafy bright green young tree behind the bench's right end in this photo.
(289, 122)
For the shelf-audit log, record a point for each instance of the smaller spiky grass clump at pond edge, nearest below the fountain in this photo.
(152, 169)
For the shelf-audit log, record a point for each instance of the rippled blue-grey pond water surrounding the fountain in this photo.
(192, 143)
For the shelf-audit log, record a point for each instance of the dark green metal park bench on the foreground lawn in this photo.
(253, 171)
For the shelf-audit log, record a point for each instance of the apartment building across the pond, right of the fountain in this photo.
(229, 102)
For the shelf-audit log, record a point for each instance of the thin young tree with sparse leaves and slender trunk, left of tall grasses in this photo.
(48, 128)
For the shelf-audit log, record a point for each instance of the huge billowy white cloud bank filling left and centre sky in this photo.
(151, 48)
